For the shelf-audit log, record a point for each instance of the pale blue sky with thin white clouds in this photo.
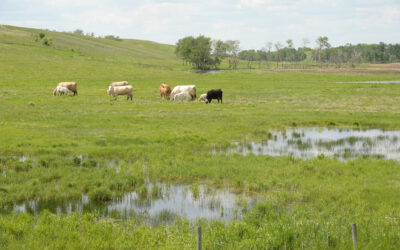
(252, 22)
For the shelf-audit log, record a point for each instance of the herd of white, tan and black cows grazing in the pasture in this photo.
(178, 94)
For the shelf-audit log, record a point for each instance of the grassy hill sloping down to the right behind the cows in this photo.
(69, 55)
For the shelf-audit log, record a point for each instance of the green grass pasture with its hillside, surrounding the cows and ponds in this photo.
(302, 204)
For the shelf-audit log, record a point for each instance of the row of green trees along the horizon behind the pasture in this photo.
(204, 53)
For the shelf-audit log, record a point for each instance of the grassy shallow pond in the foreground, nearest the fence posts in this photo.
(159, 206)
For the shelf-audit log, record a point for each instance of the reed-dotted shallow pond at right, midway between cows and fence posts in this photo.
(308, 143)
